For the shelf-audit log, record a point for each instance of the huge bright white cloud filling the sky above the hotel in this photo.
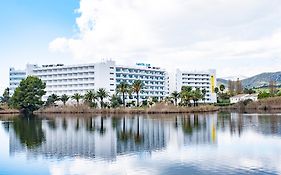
(229, 35)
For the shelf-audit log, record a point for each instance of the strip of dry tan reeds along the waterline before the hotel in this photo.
(157, 109)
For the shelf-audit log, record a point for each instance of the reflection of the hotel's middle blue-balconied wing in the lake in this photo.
(141, 134)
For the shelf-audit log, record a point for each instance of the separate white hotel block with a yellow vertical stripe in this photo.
(198, 79)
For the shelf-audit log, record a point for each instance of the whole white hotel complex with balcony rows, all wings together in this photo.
(70, 79)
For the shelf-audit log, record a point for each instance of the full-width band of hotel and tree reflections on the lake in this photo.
(107, 137)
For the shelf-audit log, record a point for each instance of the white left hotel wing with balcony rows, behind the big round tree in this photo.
(71, 79)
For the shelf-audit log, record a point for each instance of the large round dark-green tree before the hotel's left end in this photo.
(28, 96)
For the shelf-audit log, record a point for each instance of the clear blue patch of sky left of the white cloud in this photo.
(27, 27)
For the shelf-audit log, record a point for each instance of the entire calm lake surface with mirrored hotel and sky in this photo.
(219, 143)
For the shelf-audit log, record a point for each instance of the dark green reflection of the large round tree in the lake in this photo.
(29, 131)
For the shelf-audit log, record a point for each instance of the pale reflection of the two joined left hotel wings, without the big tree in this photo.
(94, 137)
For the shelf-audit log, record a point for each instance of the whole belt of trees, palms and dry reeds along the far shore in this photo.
(27, 99)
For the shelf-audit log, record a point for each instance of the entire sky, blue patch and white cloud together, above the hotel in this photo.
(236, 37)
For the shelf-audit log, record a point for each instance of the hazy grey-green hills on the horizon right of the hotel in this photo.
(259, 80)
